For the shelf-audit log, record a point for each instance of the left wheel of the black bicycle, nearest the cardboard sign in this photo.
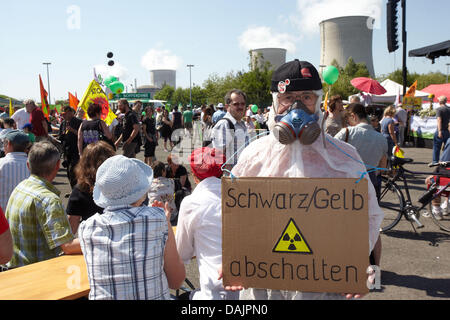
(392, 204)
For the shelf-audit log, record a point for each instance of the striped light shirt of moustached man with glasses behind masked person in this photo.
(233, 142)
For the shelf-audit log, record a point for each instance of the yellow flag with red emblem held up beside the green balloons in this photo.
(95, 94)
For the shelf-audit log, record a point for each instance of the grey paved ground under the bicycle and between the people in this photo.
(415, 266)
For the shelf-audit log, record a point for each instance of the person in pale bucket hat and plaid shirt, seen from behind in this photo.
(130, 249)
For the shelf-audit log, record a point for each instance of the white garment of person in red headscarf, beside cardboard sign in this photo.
(199, 234)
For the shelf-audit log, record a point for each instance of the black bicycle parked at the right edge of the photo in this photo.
(395, 205)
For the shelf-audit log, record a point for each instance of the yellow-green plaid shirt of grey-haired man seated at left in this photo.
(38, 222)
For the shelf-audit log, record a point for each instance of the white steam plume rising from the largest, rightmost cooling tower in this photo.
(312, 12)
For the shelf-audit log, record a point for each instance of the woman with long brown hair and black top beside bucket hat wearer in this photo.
(81, 205)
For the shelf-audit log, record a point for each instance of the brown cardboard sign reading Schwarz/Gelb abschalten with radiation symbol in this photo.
(309, 235)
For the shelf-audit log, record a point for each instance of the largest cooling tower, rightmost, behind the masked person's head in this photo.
(346, 37)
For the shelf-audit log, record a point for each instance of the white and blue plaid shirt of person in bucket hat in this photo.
(124, 253)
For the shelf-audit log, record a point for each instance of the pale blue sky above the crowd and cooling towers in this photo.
(213, 35)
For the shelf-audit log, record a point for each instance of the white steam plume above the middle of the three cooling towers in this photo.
(265, 37)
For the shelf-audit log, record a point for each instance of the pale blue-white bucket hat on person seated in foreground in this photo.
(121, 181)
